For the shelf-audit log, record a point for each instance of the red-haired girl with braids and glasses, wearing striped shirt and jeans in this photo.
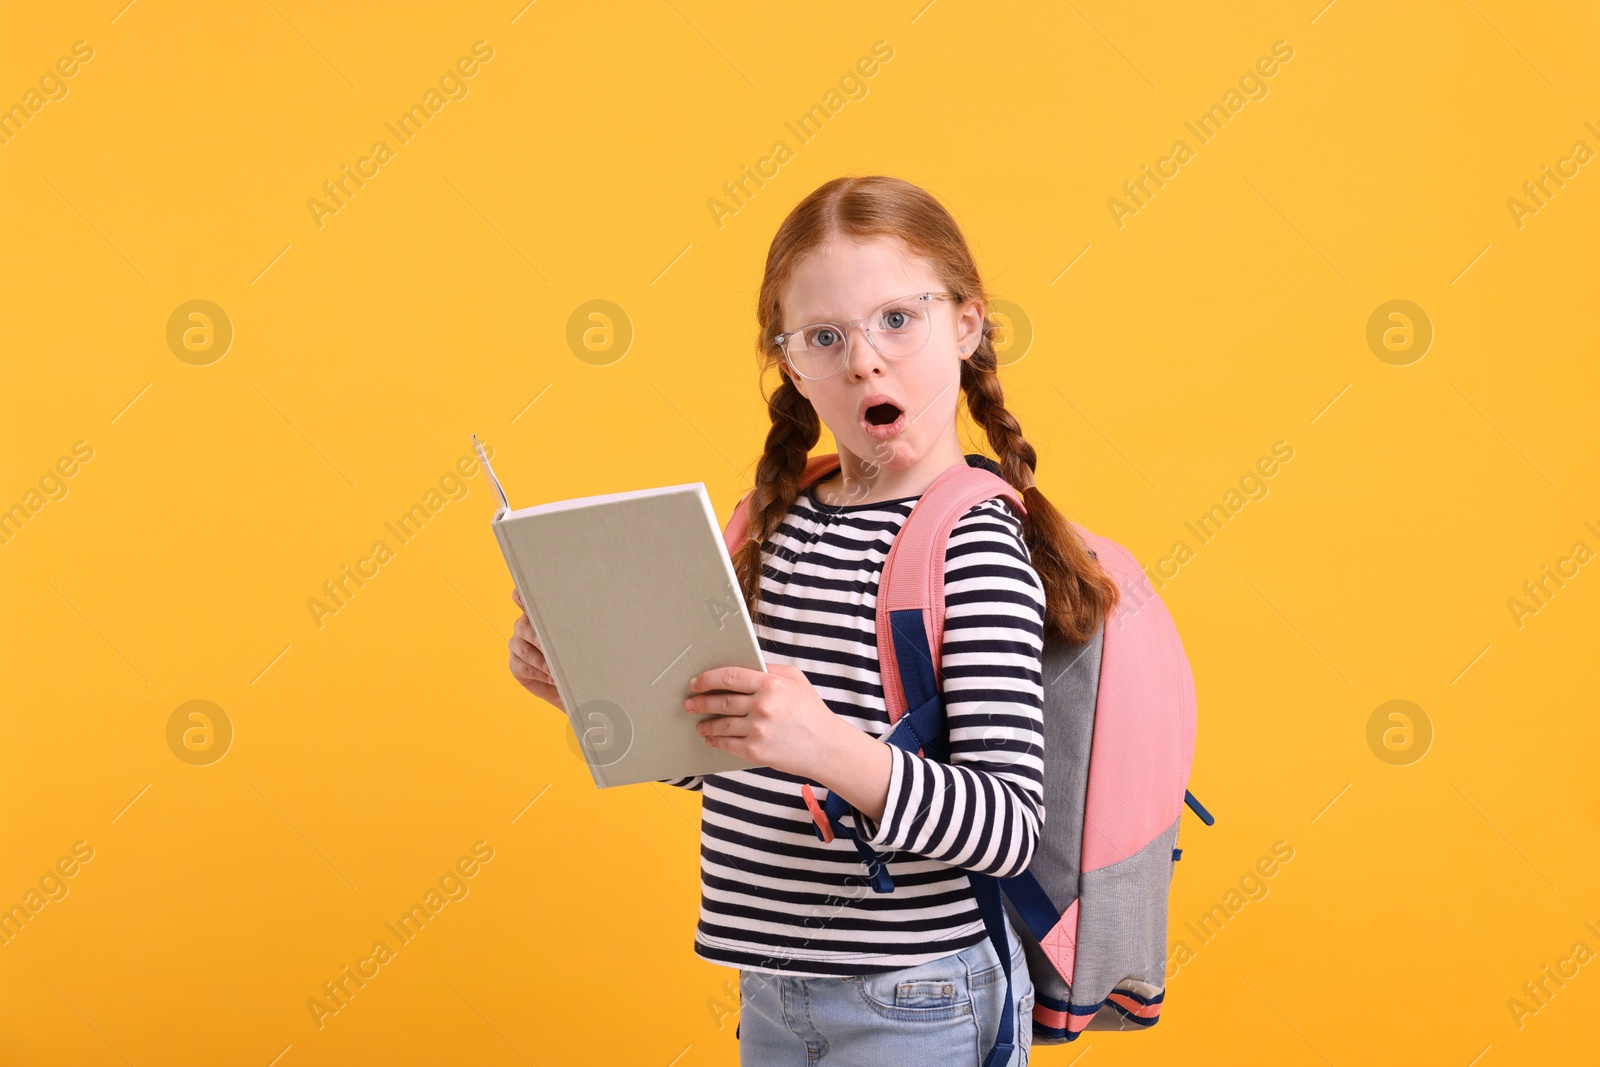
(873, 314)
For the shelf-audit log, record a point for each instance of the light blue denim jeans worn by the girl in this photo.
(934, 1015)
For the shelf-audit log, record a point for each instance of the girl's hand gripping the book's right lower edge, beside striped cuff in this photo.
(774, 717)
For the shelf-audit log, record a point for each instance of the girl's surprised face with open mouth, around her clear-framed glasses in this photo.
(849, 279)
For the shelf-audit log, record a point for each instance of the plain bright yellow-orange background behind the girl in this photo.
(372, 753)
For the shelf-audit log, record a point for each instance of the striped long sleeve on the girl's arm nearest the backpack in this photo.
(980, 812)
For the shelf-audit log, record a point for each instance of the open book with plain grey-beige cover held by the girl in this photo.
(631, 594)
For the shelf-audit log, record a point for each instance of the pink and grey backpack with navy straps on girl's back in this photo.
(1119, 743)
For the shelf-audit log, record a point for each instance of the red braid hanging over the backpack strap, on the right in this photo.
(1079, 596)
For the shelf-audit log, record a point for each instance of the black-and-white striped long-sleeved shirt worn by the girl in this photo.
(778, 900)
